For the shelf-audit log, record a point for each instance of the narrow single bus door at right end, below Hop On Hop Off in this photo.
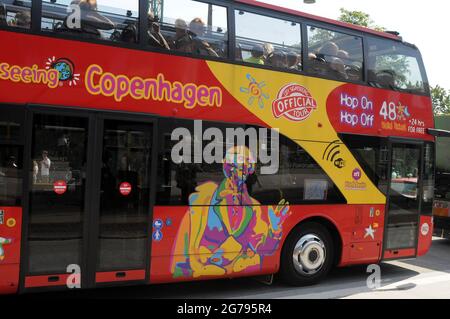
(403, 215)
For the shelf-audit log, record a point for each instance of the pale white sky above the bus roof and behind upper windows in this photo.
(424, 23)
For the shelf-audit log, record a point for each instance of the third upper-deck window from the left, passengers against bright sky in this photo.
(190, 27)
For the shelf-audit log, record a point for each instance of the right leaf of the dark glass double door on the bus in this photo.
(123, 193)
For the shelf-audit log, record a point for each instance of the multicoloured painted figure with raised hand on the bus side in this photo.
(219, 236)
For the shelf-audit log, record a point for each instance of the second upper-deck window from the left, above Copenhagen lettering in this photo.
(92, 19)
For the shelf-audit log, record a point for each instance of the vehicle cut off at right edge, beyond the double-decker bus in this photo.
(441, 207)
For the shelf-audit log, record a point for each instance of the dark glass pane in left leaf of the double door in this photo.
(57, 194)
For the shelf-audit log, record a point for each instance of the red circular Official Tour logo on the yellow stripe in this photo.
(294, 102)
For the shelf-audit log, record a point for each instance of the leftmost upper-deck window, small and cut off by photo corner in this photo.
(15, 13)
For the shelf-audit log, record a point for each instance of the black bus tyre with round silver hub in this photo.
(307, 255)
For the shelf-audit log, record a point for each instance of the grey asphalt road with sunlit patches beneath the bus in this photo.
(426, 277)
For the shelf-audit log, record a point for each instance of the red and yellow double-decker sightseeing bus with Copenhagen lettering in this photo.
(147, 142)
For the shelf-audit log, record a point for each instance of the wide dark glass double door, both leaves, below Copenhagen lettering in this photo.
(89, 206)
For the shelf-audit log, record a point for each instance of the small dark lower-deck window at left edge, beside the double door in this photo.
(10, 175)
